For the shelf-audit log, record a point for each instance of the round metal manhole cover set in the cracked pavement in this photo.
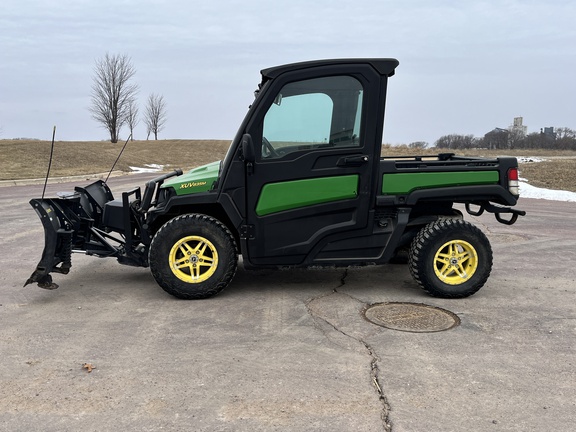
(411, 317)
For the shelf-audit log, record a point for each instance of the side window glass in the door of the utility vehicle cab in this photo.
(310, 114)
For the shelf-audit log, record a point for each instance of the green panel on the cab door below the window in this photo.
(277, 197)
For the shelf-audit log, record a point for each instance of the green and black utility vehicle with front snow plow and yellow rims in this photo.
(303, 184)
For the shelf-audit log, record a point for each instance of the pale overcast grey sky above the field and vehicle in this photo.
(465, 66)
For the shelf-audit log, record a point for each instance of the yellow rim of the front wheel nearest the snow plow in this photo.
(193, 259)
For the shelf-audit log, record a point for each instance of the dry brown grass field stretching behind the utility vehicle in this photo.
(25, 159)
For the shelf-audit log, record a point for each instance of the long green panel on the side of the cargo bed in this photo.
(404, 183)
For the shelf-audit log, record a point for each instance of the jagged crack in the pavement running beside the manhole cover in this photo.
(374, 369)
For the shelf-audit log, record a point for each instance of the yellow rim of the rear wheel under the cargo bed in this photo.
(455, 262)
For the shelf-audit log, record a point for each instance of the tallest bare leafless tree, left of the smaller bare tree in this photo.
(112, 92)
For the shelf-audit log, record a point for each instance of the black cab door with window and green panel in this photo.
(311, 184)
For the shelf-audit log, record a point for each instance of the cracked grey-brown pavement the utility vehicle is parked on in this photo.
(288, 350)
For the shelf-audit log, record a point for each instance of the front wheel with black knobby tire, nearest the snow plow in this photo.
(193, 256)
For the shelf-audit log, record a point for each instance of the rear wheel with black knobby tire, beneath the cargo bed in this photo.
(450, 258)
